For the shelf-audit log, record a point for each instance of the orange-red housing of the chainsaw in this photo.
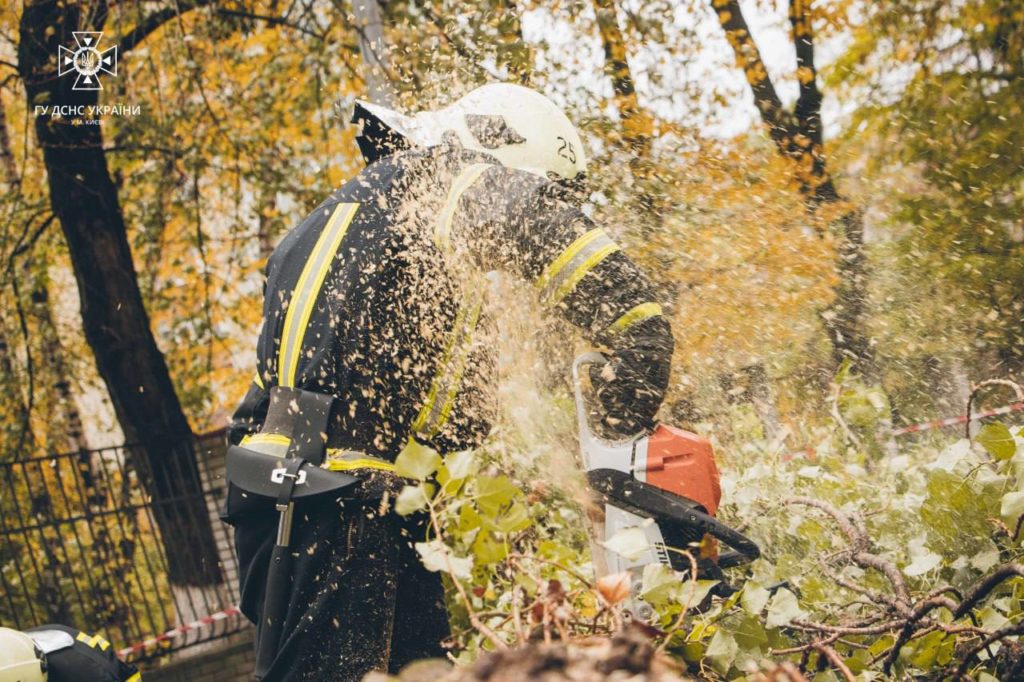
(684, 463)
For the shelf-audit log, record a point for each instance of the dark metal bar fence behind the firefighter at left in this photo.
(80, 545)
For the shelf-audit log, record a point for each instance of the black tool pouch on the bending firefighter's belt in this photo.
(258, 481)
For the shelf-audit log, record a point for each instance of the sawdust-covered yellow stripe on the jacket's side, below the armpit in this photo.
(446, 383)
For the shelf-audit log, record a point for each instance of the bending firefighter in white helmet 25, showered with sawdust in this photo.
(376, 301)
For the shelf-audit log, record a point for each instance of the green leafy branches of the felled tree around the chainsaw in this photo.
(874, 567)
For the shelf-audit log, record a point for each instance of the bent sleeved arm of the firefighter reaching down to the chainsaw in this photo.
(515, 223)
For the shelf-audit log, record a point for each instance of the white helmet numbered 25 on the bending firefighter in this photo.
(519, 126)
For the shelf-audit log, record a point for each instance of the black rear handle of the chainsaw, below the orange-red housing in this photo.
(643, 499)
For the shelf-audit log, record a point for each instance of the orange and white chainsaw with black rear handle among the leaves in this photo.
(666, 484)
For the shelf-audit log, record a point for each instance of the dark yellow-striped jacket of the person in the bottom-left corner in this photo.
(73, 656)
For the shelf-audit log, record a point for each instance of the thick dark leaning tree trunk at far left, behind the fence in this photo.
(114, 318)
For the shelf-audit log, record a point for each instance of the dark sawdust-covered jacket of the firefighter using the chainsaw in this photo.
(377, 300)
